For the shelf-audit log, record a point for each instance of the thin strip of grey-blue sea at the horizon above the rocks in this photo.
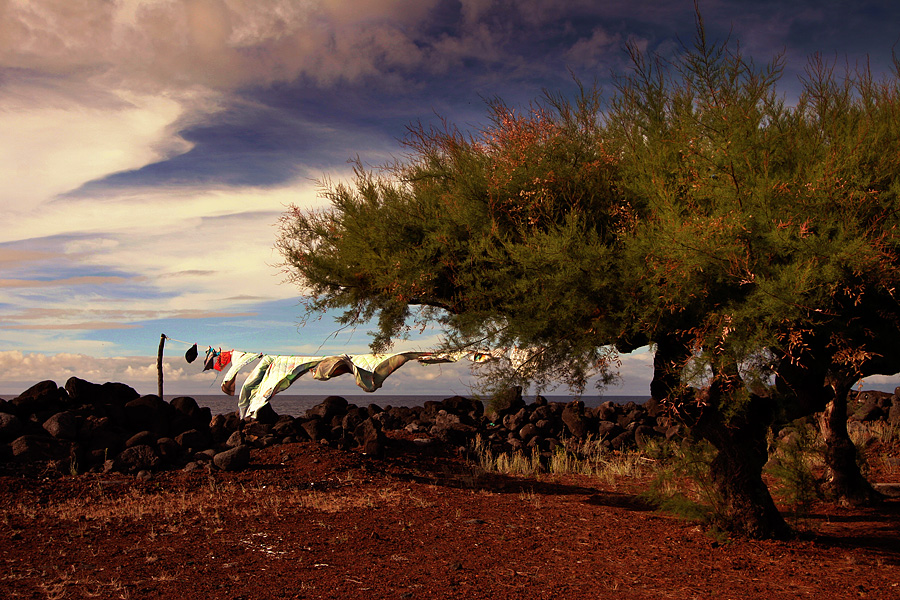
(296, 406)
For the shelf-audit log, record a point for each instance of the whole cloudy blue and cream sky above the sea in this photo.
(149, 147)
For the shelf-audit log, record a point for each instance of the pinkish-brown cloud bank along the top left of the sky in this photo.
(221, 44)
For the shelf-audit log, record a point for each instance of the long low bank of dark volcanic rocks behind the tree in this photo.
(89, 427)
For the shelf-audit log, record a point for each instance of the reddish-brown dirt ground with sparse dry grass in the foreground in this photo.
(308, 521)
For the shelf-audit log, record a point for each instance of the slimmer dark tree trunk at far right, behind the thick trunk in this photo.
(845, 482)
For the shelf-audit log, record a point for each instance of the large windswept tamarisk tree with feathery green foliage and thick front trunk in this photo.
(746, 240)
